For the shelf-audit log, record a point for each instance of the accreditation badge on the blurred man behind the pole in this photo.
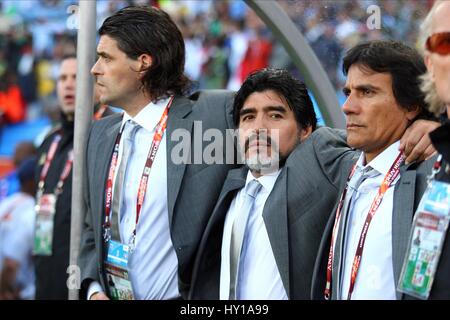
(45, 214)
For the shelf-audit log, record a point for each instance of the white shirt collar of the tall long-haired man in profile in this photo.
(149, 116)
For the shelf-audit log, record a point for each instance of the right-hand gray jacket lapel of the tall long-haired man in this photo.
(180, 108)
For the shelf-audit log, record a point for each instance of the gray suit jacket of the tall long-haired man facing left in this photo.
(192, 189)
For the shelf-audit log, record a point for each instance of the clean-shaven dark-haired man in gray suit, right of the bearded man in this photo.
(369, 228)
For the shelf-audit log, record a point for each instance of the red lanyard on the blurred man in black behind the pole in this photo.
(66, 170)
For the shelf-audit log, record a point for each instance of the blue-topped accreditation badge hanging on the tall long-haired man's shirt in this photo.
(116, 267)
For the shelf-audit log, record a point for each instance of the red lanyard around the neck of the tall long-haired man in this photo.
(157, 138)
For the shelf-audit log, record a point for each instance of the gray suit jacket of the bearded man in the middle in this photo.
(295, 214)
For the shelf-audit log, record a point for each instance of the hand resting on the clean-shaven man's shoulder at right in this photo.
(416, 143)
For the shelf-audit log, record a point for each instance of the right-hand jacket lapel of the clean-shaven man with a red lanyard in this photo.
(403, 211)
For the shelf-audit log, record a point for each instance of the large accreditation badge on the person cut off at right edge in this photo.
(428, 233)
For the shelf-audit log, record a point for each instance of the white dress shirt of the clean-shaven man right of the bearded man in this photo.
(375, 279)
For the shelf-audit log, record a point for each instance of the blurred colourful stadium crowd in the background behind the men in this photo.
(225, 41)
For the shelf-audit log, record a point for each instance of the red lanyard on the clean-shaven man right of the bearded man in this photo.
(389, 179)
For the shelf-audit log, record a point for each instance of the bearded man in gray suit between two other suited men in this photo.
(297, 192)
